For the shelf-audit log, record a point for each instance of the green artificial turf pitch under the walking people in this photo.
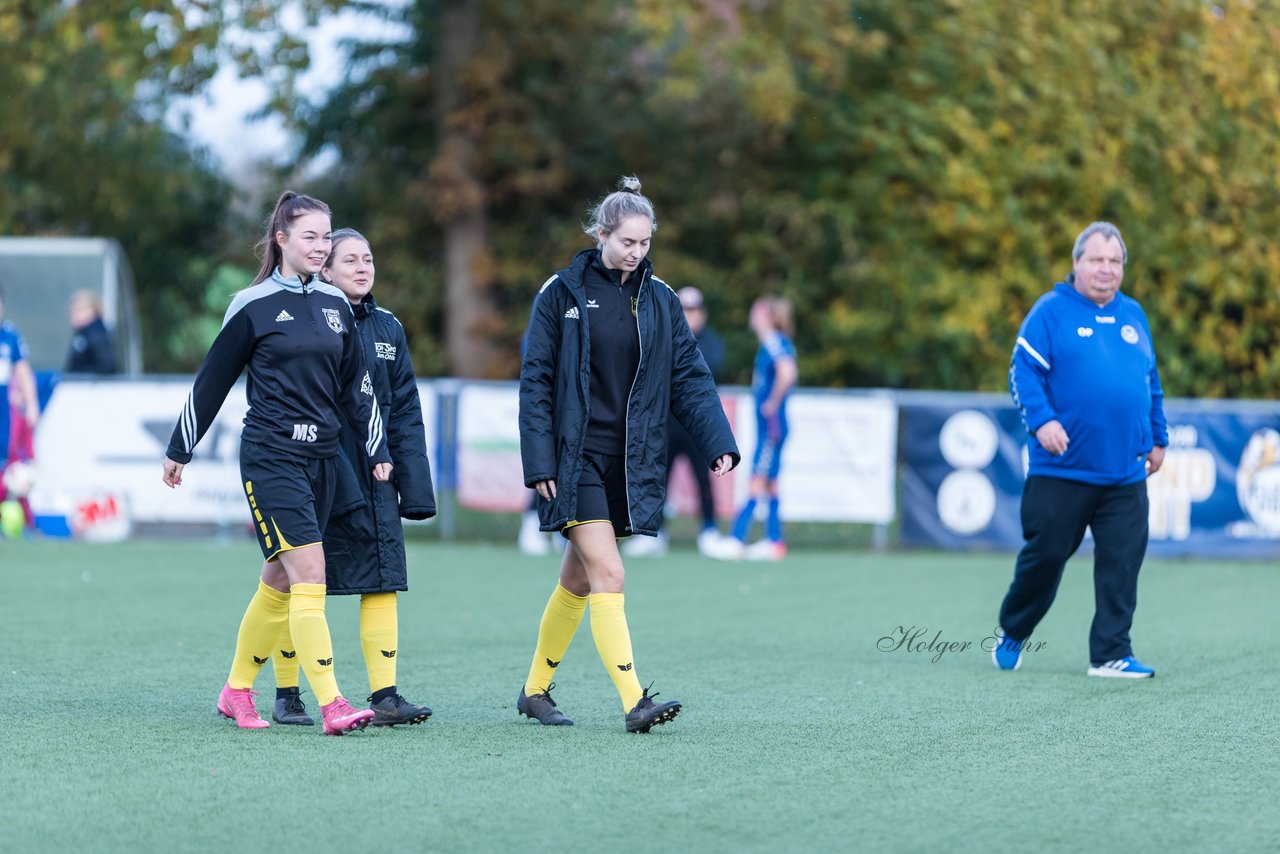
(798, 732)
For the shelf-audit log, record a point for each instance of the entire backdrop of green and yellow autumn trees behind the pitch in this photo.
(912, 175)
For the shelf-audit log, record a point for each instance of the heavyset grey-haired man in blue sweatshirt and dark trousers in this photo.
(1085, 377)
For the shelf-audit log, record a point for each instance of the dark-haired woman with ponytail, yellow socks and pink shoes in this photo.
(307, 375)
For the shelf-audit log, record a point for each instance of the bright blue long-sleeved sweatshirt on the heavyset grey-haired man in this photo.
(1094, 371)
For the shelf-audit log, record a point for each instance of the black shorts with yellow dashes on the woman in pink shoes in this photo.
(290, 497)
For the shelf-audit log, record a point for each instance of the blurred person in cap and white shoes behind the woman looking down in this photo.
(682, 444)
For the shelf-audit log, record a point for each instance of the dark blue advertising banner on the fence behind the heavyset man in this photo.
(964, 463)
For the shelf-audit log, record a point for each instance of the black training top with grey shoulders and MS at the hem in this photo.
(305, 372)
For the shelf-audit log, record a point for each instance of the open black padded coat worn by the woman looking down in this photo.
(671, 380)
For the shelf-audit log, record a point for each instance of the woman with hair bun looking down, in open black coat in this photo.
(610, 359)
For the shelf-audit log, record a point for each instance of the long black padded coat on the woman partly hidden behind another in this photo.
(365, 550)
